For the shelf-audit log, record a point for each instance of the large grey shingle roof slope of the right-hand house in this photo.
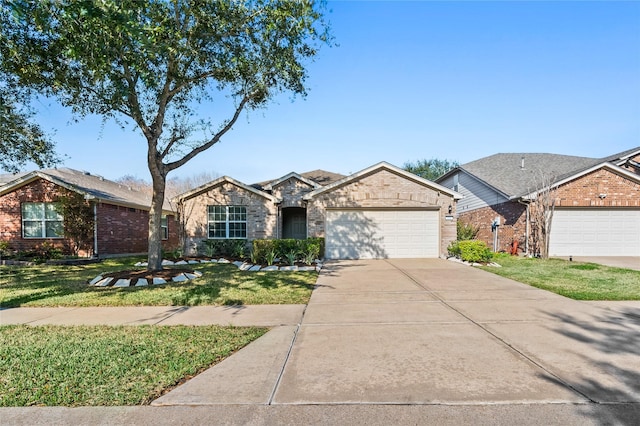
(505, 173)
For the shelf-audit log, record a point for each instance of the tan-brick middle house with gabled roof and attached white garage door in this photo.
(380, 212)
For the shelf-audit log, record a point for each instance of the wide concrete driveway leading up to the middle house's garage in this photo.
(430, 331)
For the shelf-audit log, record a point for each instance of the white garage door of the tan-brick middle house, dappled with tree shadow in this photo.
(371, 234)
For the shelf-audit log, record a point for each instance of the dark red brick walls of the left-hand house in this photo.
(121, 230)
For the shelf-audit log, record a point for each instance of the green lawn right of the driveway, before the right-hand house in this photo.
(580, 281)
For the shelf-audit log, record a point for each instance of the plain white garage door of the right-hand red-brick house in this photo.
(595, 232)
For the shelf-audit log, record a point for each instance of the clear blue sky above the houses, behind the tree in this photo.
(420, 80)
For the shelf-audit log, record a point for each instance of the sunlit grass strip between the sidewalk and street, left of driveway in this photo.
(100, 365)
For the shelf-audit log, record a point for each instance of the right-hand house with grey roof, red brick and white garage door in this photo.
(597, 201)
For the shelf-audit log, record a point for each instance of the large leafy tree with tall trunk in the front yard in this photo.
(158, 62)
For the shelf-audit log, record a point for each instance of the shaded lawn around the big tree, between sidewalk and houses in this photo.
(49, 285)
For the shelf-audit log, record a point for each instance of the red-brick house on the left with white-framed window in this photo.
(28, 217)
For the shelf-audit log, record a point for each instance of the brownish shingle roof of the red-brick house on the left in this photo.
(91, 186)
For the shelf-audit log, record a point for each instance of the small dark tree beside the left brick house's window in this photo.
(78, 221)
